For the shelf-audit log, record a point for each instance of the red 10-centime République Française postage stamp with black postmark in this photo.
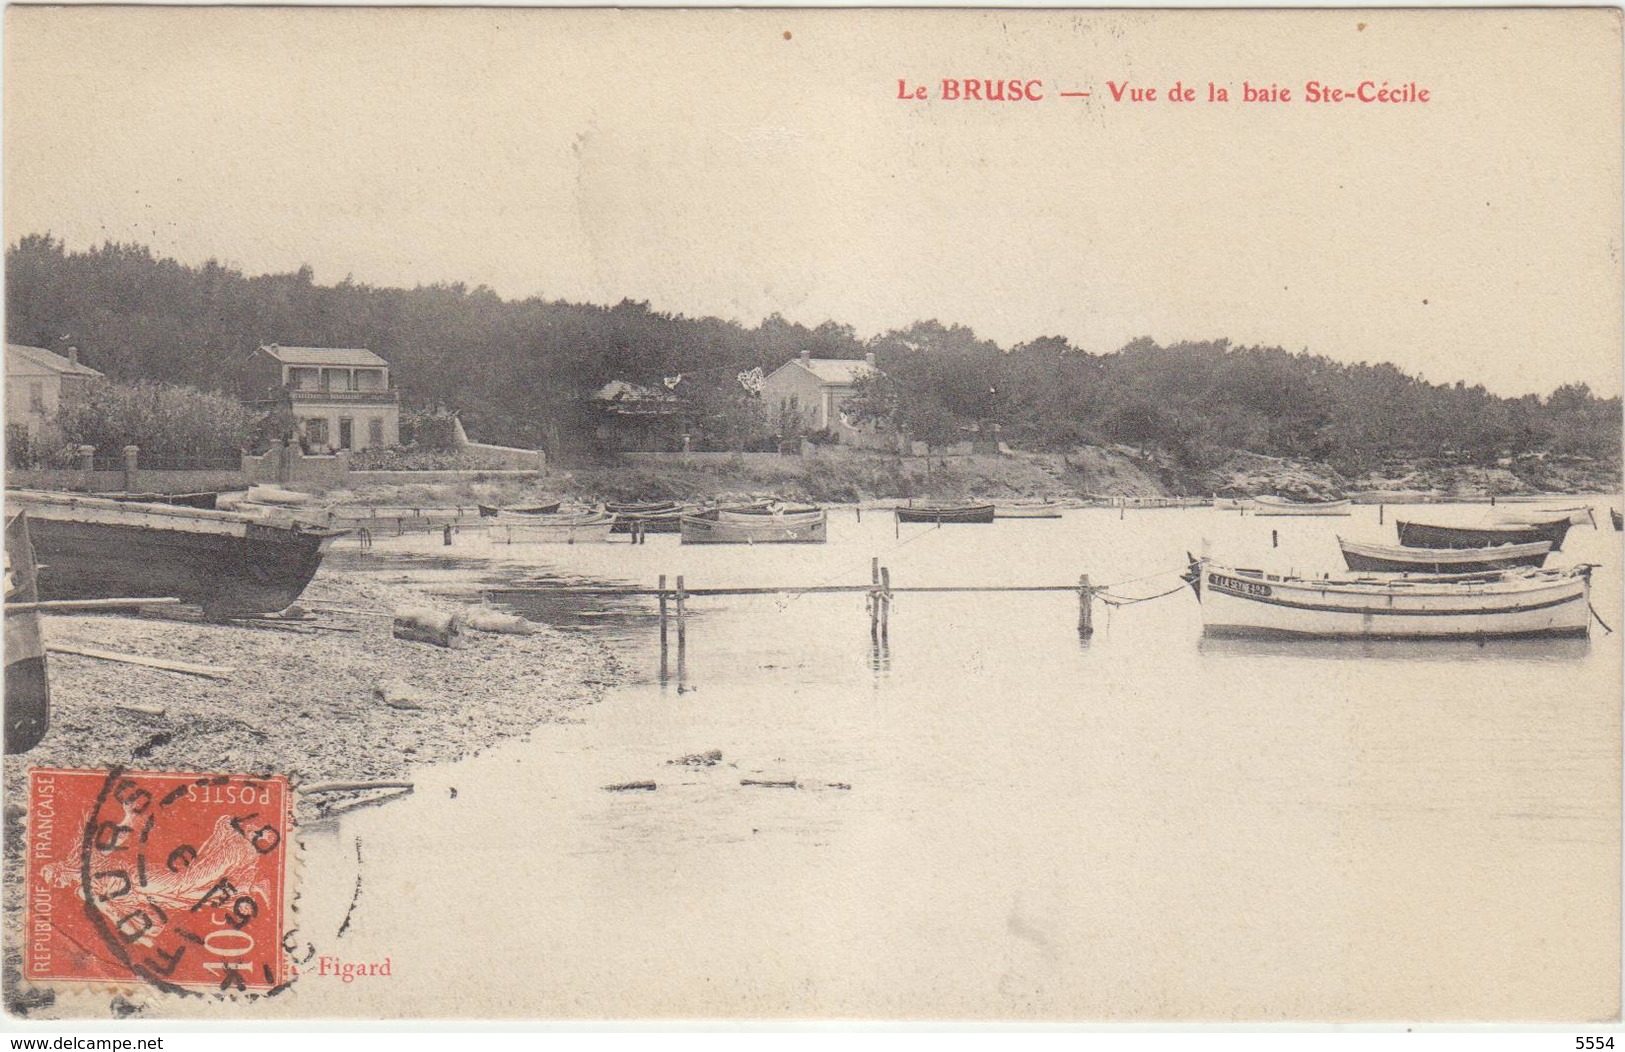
(176, 880)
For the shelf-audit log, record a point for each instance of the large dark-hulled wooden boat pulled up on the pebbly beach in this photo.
(228, 563)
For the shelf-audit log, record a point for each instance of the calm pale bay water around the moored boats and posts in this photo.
(997, 819)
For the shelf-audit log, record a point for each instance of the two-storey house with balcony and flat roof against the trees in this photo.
(340, 398)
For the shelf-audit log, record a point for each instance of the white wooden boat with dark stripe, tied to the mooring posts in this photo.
(1502, 604)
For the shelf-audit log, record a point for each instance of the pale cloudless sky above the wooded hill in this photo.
(745, 163)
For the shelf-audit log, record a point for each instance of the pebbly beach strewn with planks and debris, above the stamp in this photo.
(298, 703)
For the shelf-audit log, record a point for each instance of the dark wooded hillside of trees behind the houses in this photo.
(519, 372)
